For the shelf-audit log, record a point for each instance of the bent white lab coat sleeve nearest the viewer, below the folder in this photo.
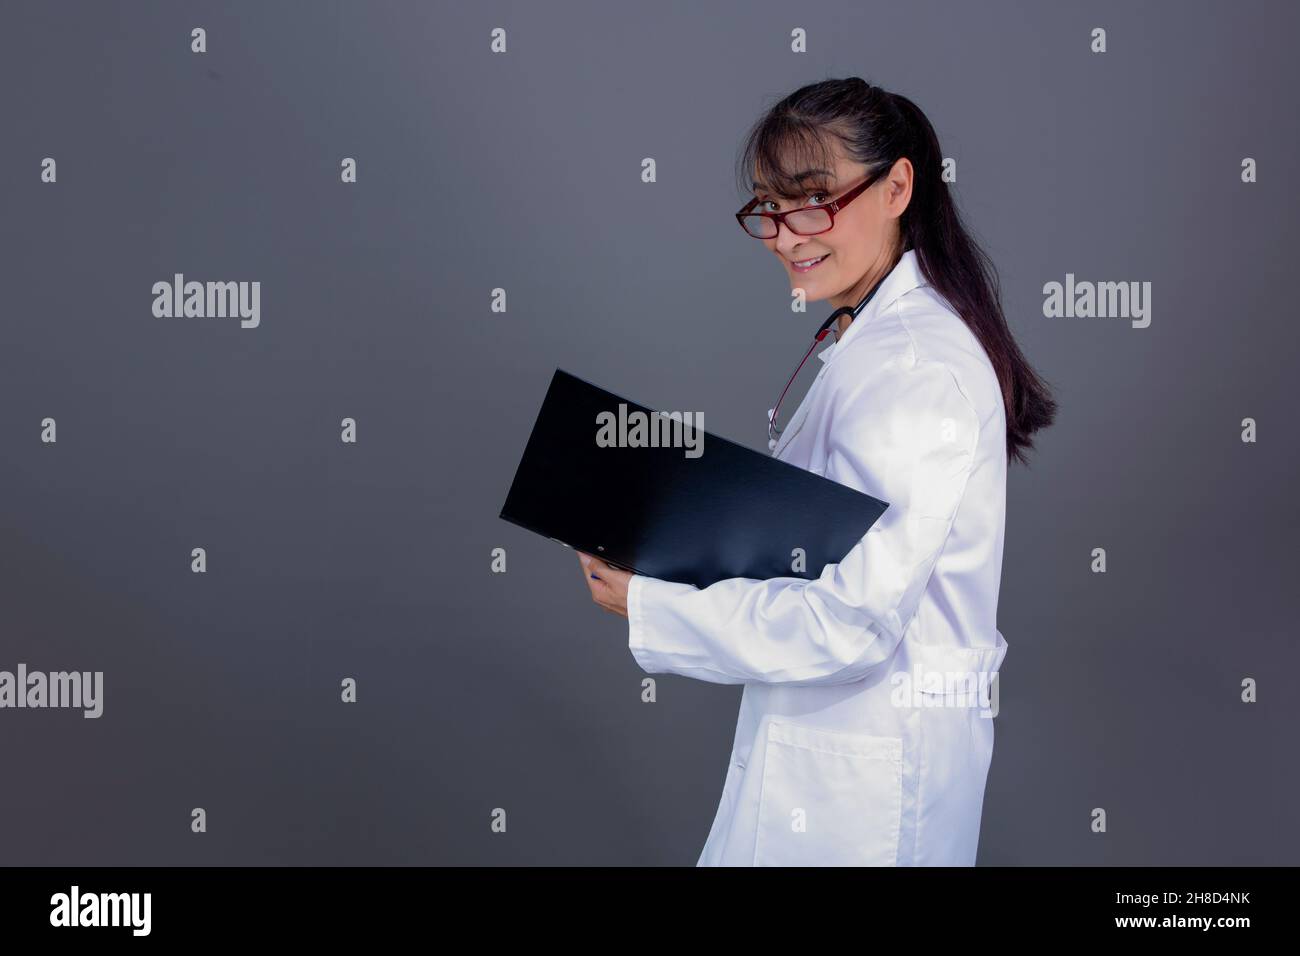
(907, 436)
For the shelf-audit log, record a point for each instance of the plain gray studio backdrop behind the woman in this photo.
(523, 171)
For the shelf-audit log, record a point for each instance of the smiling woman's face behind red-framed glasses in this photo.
(860, 248)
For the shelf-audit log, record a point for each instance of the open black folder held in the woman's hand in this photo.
(657, 511)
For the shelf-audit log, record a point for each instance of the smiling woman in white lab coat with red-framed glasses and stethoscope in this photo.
(865, 732)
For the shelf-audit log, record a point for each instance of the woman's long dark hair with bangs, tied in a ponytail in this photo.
(877, 128)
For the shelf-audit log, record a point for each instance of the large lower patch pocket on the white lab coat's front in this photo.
(829, 799)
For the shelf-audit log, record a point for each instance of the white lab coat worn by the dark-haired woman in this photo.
(857, 743)
